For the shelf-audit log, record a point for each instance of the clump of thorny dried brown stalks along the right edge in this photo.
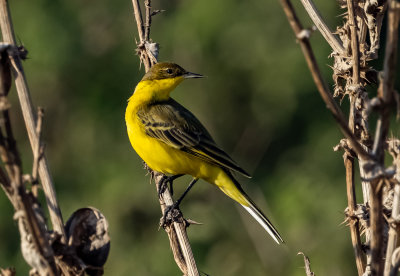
(351, 75)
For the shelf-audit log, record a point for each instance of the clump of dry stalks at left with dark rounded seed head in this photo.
(47, 252)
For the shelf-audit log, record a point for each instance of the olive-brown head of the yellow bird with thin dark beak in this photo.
(166, 76)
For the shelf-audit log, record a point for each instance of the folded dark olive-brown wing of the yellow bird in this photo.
(176, 126)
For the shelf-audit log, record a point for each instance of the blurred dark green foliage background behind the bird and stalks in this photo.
(259, 103)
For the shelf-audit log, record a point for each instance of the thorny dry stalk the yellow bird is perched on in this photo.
(176, 231)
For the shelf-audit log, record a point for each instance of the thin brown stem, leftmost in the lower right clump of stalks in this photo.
(353, 220)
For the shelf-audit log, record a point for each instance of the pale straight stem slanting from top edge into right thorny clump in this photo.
(315, 16)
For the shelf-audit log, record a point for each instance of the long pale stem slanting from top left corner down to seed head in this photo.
(30, 120)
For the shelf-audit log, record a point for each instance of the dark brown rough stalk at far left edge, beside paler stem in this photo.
(34, 243)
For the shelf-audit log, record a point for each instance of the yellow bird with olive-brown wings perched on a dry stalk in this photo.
(172, 141)
